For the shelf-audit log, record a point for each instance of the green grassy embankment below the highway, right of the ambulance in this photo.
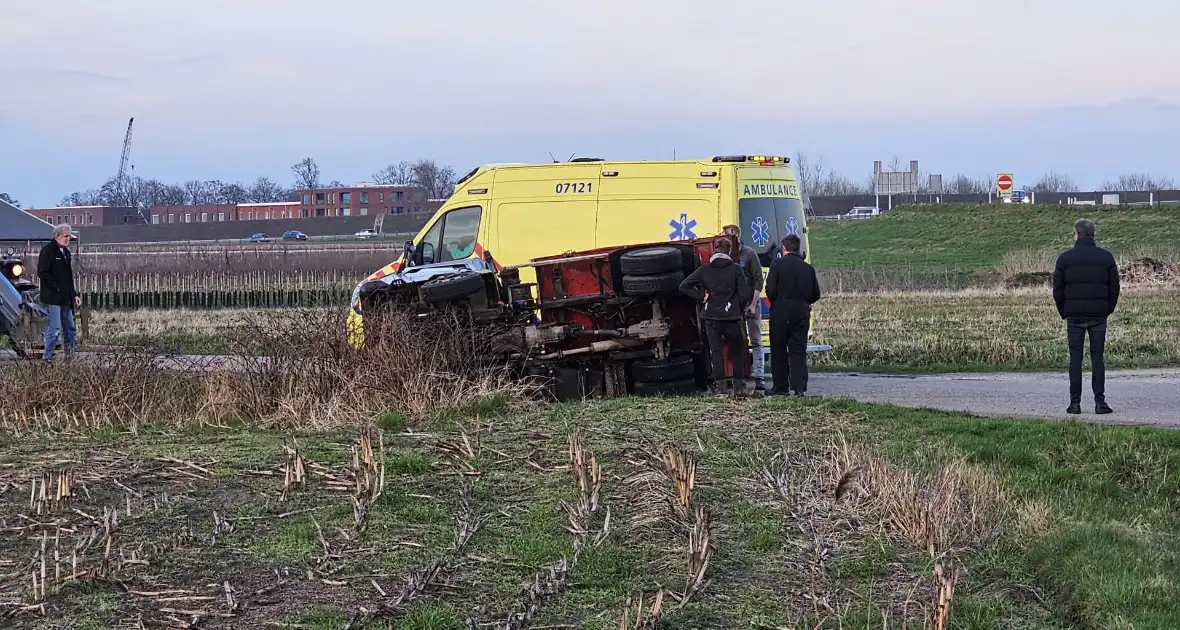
(989, 238)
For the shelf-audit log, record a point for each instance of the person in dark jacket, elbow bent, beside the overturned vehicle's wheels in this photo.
(723, 285)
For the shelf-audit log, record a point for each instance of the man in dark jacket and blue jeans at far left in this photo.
(55, 270)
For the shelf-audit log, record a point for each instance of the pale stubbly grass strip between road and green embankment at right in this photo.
(986, 332)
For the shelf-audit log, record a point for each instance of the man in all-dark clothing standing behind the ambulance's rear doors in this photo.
(792, 288)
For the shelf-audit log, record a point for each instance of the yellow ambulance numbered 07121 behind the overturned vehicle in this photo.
(510, 214)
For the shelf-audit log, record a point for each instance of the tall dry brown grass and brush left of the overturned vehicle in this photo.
(310, 377)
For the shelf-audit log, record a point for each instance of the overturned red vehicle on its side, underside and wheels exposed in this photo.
(601, 323)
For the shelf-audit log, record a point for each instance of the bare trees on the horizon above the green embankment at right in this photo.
(818, 180)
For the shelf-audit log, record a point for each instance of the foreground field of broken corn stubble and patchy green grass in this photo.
(735, 515)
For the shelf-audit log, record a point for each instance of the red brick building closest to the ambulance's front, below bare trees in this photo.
(365, 199)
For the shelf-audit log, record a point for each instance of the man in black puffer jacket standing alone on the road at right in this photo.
(1086, 291)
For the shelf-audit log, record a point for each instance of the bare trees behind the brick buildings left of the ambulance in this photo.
(143, 194)
